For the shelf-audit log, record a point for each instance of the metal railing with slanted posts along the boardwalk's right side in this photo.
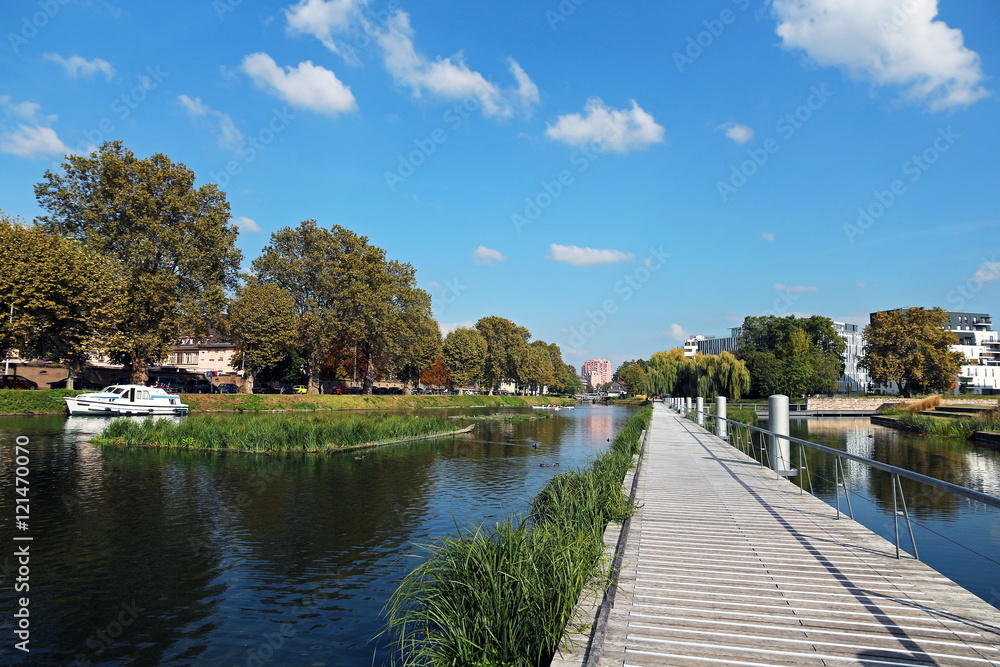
(742, 435)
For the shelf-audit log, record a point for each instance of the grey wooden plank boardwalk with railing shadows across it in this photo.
(725, 565)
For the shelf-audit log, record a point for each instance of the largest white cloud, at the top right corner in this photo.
(891, 43)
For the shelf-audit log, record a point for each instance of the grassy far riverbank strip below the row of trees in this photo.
(50, 401)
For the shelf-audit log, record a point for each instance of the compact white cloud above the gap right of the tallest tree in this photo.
(307, 86)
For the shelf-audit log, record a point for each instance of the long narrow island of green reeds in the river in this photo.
(272, 433)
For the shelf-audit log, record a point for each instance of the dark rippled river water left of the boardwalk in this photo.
(144, 557)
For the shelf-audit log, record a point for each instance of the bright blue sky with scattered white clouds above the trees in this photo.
(613, 176)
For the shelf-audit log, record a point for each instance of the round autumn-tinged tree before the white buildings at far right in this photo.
(912, 348)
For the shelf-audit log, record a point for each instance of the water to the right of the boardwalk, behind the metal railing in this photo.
(960, 538)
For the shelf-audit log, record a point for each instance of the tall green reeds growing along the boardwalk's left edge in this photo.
(501, 595)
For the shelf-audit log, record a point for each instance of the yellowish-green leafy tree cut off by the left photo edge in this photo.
(60, 297)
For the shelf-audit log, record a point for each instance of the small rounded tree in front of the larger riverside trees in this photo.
(261, 322)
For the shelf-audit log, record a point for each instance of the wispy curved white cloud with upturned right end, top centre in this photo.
(450, 78)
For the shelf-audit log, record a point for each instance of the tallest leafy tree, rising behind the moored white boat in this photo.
(172, 242)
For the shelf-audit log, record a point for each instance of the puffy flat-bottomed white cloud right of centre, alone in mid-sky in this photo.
(622, 130)
